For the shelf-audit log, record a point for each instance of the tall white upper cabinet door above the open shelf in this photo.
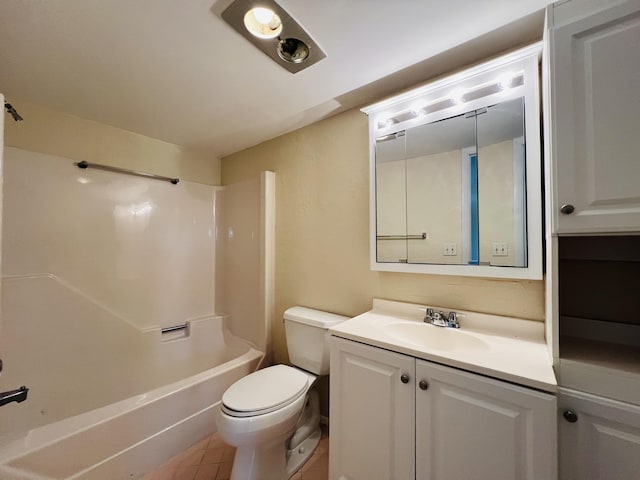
(595, 116)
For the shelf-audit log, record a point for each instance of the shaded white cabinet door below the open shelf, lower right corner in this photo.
(602, 440)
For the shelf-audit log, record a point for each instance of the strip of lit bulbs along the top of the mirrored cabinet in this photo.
(458, 97)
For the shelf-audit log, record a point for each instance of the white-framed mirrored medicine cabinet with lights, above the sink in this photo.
(455, 174)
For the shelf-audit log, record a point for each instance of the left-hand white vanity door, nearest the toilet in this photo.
(372, 413)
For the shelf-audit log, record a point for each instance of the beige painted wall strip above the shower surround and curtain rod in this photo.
(48, 131)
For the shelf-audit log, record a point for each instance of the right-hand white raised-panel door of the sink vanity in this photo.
(473, 427)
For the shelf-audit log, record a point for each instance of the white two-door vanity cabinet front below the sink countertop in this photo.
(397, 417)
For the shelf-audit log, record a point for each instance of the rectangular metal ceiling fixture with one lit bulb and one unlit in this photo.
(271, 29)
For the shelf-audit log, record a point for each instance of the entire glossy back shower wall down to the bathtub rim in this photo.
(95, 264)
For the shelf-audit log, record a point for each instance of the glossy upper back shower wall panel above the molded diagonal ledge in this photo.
(141, 249)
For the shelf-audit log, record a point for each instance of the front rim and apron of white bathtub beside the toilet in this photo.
(130, 437)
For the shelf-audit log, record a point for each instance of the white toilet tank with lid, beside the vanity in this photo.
(307, 332)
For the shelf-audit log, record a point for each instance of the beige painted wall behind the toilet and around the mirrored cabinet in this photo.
(322, 232)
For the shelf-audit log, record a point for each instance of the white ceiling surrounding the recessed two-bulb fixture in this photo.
(174, 71)
